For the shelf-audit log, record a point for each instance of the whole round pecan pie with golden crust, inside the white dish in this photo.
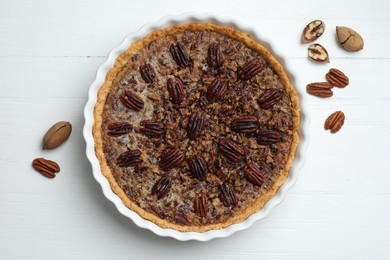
(196, 126)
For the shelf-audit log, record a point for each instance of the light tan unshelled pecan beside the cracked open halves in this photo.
(349, 39)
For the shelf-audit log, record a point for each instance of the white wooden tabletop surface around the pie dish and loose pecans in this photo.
(49, 53)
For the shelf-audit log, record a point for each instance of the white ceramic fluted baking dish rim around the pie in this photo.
(90, 150)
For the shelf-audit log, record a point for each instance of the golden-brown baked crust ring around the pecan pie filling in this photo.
(117, 70)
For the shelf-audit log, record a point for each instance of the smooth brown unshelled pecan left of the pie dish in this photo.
(57, 135)
